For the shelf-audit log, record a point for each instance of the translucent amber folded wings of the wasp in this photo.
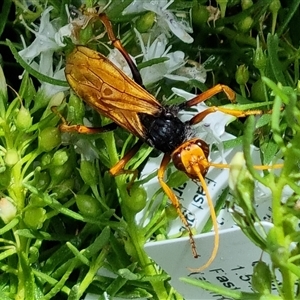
(106, 88)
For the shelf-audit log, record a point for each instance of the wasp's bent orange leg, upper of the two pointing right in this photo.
(210, 93)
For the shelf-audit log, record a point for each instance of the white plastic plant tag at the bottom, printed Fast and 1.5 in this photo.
(232, 268)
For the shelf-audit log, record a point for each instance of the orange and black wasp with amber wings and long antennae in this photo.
(129, 105)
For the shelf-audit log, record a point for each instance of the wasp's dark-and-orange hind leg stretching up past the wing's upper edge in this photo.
(117, 44)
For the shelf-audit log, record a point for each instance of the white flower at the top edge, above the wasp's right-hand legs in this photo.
(166, 20)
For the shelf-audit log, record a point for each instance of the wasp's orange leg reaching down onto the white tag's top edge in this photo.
(165, 161)
